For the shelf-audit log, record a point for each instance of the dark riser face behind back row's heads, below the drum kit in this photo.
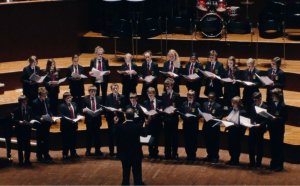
(202, 47)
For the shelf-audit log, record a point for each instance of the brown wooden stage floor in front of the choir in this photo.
(92, 171)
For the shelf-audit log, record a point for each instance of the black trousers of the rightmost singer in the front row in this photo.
(276, 130)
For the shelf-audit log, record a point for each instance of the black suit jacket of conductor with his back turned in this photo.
(128, 140)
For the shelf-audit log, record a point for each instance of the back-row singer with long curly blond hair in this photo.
(173, 65)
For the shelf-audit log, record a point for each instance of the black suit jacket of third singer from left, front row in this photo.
(66, 124)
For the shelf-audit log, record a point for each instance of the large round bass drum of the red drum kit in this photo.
(211, 25)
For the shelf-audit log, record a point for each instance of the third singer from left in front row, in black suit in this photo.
(68, 127)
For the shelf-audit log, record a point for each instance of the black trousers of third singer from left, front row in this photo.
(69, 139)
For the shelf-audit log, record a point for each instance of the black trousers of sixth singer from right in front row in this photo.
(171, 138)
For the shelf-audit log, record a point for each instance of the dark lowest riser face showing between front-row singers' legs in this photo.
(290, 151)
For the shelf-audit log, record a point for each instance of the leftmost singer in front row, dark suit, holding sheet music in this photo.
(22, 117)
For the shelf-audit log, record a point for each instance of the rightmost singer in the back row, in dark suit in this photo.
(276, 74)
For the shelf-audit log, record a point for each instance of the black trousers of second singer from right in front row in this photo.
(256, 146)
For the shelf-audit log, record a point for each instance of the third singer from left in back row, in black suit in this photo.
(76, 83)
